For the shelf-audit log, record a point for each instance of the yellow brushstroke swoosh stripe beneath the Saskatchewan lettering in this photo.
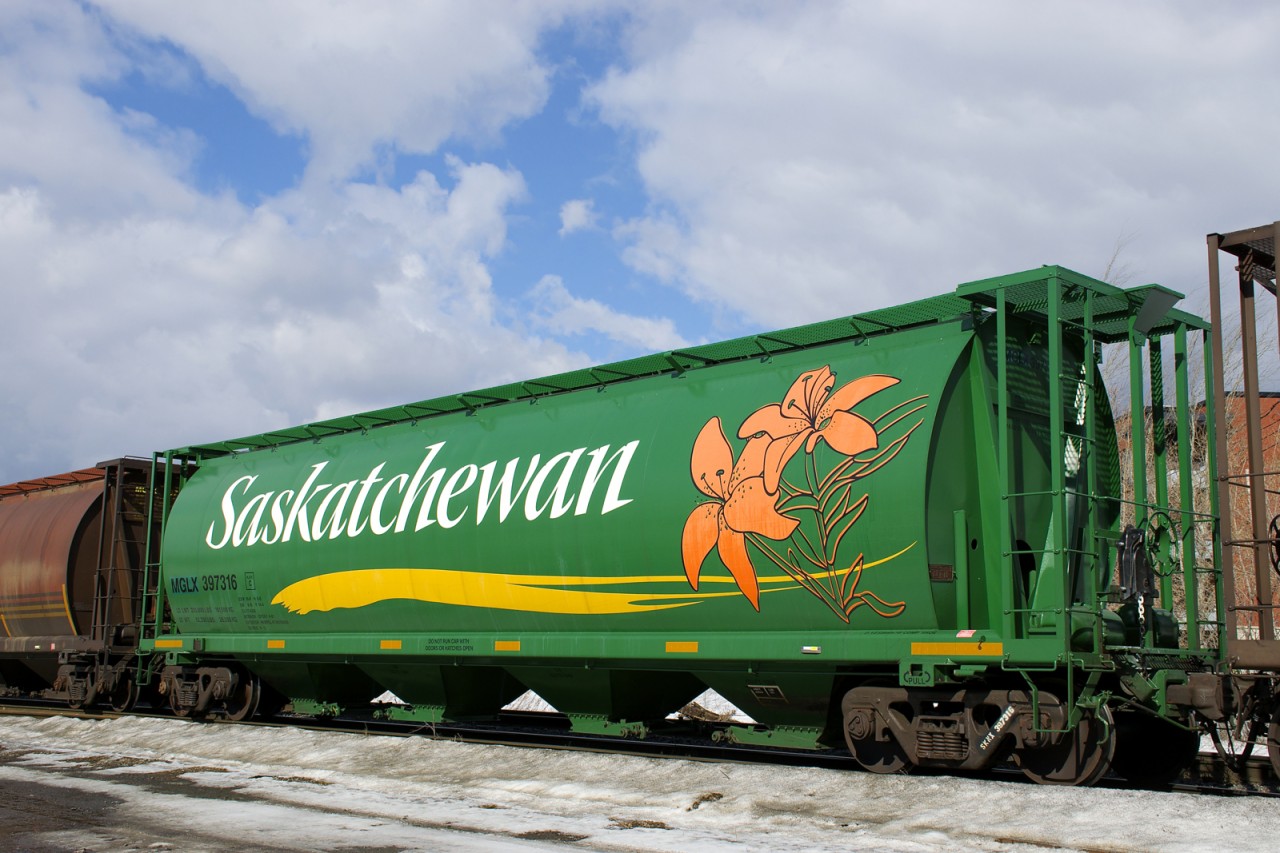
(529, 594)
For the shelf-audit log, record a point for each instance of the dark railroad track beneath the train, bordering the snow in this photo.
(1212, 776)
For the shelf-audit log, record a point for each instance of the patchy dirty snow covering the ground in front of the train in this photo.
(202, 787)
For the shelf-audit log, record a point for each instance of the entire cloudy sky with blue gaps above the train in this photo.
(222, 218)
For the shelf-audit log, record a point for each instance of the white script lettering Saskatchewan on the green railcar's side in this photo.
(383, 503)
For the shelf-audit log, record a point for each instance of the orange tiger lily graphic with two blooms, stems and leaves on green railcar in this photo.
(815, 513)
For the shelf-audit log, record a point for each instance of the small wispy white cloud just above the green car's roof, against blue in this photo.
(564, 314)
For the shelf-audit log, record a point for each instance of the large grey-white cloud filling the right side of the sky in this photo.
(806, 161)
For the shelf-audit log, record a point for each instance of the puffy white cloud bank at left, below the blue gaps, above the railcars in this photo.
(167, 330)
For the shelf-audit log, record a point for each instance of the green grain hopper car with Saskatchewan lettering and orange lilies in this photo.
(907, 531)
